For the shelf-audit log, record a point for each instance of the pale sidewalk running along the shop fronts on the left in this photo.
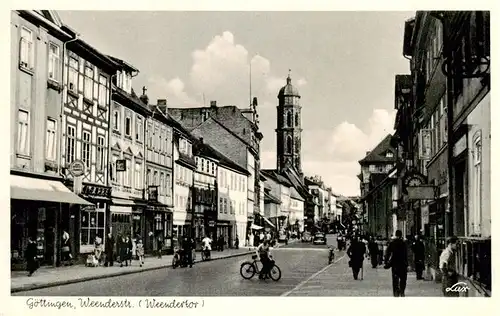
(49, 276)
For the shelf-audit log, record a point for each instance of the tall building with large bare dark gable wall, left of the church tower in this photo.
(233, 132)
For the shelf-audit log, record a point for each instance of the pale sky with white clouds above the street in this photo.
(343, 64)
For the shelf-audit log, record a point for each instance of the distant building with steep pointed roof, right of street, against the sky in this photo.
(378, 185)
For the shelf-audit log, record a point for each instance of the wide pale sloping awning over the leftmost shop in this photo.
(33, 189)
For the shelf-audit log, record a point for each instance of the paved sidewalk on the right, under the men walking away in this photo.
(337, 280)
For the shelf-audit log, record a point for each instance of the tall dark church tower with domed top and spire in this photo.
(288, 131)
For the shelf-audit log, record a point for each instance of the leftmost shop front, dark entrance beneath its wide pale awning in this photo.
(41, 209)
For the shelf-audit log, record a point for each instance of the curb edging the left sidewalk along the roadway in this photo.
(32, 287)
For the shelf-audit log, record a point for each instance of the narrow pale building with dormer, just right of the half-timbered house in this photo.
(128, 155)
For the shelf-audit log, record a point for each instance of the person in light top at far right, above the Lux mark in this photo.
(447, 265)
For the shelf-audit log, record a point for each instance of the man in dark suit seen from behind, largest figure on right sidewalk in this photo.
(396, 258)
